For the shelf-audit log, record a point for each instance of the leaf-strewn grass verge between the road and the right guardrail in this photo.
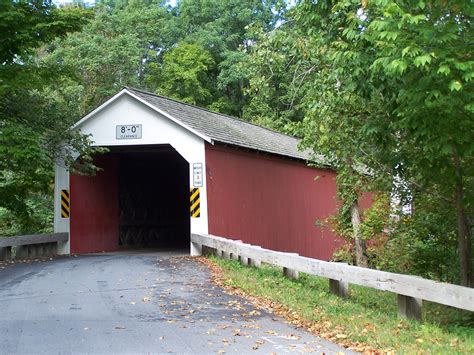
(366, 321)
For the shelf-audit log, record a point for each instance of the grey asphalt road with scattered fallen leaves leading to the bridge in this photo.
(135, 303)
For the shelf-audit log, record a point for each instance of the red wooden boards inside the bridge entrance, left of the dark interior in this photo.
(94, 223)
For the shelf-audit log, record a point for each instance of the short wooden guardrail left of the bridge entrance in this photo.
(31, 246)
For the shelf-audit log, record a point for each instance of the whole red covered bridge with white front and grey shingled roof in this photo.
(173, 169)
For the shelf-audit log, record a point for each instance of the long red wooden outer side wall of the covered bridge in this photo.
(271, 202)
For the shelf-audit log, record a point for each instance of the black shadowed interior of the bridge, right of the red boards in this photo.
(153, 197)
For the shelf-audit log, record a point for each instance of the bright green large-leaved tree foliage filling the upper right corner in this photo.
(396, 59)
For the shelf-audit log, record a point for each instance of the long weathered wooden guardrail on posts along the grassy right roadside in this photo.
(411, 290)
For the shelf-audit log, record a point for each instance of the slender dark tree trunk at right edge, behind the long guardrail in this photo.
(464, 242)
